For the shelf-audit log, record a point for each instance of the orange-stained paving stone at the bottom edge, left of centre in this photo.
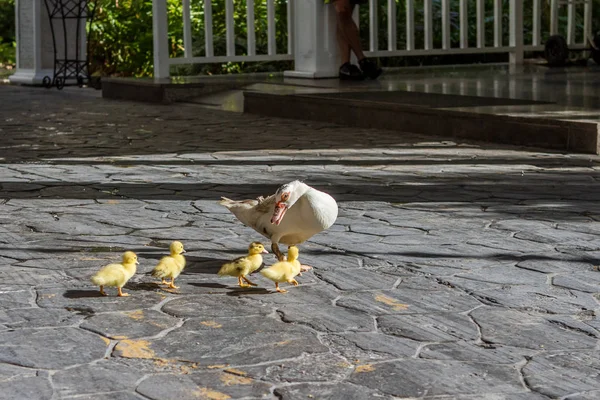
(212, 385)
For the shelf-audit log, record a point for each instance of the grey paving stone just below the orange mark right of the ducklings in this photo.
(429, 327)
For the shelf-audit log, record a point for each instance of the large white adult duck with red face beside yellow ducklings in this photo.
(294, 214)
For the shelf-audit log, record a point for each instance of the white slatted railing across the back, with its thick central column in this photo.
(317, 31)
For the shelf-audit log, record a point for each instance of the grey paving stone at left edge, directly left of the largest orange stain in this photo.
(51, 348)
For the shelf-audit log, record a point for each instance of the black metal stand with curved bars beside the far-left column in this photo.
(66, 68)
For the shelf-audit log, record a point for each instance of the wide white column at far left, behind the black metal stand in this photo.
(35, 52)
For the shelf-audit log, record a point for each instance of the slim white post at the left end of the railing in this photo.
(160, 38)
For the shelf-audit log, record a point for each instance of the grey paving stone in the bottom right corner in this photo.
(561, 374)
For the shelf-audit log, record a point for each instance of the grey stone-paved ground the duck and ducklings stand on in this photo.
(454, 271)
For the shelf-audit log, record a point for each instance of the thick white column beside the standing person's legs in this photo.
(315, 45)
